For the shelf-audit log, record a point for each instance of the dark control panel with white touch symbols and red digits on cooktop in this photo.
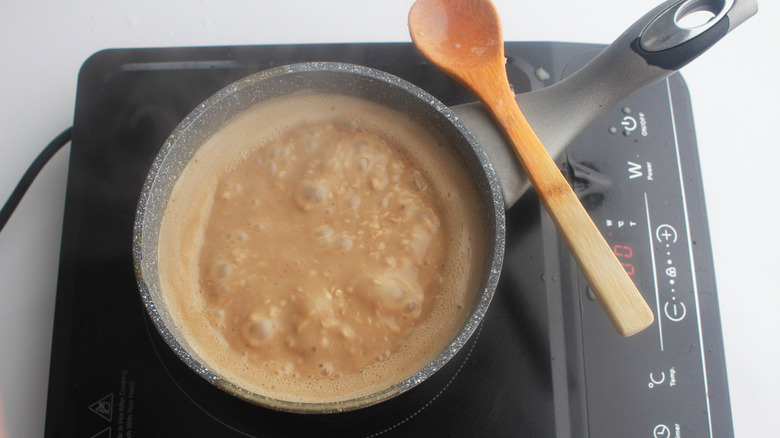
(636, 172)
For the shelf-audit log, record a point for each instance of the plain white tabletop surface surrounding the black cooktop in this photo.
(734, 90)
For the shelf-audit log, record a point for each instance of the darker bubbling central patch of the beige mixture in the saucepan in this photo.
(319, 251)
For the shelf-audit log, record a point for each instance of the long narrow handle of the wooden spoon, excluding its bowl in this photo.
(617, 294)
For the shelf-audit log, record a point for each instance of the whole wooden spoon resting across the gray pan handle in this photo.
(463, 38)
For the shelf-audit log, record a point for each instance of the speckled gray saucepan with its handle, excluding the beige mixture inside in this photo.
(649, 50)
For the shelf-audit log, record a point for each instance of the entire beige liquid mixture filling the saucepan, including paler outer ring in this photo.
(324, 254)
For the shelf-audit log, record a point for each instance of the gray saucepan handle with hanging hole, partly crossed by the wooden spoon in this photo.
(651, 49)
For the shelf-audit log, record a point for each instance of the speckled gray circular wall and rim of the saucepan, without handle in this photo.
(333, 78)
